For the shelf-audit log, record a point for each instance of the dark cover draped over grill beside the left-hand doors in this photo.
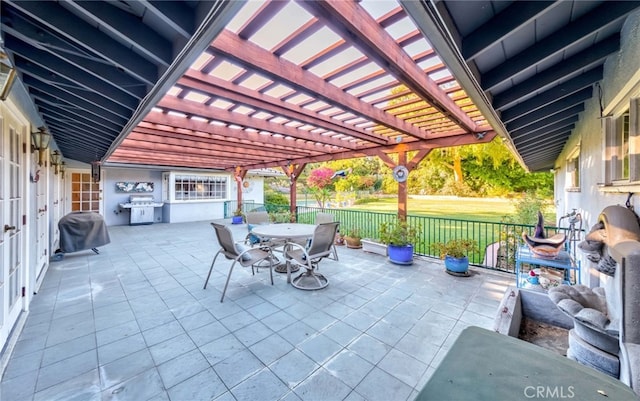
(82, 230)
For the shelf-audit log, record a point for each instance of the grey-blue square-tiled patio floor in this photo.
(133, 323)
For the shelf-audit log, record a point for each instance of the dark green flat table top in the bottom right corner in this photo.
(484, 365)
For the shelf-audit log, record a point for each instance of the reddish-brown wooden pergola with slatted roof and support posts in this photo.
(340, 82)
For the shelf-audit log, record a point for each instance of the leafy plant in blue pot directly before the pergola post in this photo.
(400, 238)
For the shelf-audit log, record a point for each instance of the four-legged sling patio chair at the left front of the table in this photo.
(236, 252)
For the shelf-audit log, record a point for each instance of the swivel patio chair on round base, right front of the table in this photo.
(309, 257)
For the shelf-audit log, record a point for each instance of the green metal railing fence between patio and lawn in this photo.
(497, 242)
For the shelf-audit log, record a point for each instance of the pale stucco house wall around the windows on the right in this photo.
(621, 83)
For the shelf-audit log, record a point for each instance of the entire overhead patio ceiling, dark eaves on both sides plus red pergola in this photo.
(220, 84)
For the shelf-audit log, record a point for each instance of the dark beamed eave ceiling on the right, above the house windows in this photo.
(534, 62)
